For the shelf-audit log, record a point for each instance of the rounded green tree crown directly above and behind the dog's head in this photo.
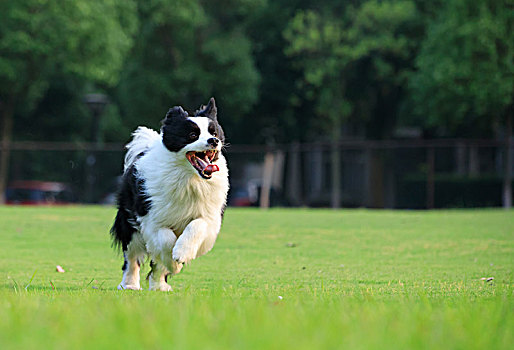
(187, 51)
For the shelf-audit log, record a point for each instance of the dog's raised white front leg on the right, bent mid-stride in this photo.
(197, 239)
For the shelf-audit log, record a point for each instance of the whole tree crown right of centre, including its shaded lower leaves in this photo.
(349, 60)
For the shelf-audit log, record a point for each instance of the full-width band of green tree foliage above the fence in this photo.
(271, 65)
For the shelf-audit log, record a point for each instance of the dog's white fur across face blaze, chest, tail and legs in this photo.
(185, 215)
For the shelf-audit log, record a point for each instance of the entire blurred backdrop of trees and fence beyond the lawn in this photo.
(325, 103)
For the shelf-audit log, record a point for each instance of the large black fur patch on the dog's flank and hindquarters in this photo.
(132, 203)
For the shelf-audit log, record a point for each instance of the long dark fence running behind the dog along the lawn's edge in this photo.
(412, 174)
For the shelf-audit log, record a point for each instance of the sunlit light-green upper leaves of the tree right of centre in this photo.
(332, 44)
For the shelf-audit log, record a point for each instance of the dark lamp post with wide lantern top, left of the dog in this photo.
(96, 104)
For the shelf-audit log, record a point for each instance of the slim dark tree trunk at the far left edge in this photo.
(6, 112)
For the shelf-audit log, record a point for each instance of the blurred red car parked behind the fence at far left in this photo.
(38, 193)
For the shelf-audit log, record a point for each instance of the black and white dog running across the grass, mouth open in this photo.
(174, 191)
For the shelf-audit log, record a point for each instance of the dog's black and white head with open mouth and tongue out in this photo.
(199, 138)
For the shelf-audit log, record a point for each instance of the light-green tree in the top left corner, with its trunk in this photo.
(38, 38)
